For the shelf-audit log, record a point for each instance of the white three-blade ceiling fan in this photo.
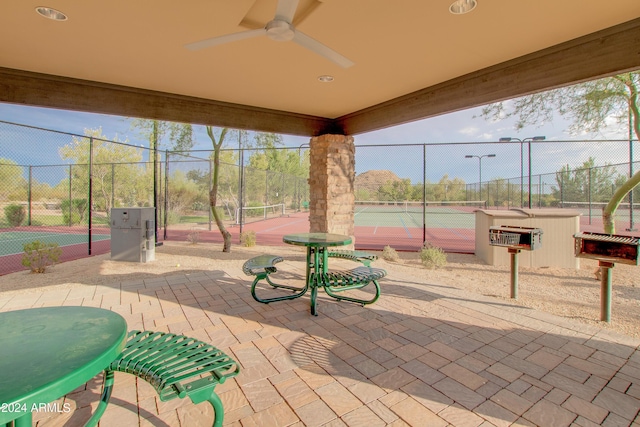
(280, 28)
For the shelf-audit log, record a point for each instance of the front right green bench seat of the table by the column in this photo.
(357, 278)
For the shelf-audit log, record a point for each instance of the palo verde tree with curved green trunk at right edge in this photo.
(590, 106)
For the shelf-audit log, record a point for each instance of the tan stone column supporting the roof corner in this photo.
(331, 184)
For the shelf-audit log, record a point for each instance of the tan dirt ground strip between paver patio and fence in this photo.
(565, 292)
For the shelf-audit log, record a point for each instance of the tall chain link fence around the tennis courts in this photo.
(59, 187)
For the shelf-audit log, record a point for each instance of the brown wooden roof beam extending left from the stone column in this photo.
(43, 90)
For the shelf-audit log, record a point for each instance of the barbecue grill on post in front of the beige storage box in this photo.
(515, 239)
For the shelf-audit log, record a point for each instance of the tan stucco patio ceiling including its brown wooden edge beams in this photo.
(412, 58)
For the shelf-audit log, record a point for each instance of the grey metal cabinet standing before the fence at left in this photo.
(132, 234)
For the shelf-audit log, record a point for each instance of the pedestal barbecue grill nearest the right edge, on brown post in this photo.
(607, 249)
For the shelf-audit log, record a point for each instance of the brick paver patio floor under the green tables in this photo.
(423, 355)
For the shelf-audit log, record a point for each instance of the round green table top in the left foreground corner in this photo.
(46, 353)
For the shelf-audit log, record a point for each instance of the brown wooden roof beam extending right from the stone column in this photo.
(605, 53)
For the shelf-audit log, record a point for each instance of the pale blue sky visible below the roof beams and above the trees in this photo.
(460, 128)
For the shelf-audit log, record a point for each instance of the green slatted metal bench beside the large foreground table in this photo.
(175, 365)
